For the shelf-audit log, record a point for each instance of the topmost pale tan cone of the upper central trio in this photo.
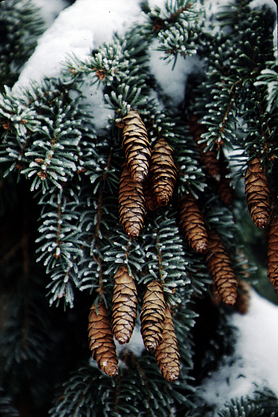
(136, 146)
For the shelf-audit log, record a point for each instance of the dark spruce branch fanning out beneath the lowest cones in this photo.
(139, 389)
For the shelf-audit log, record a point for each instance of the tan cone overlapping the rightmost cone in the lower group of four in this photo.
(152, 315)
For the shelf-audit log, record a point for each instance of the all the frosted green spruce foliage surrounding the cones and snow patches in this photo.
(62, 241)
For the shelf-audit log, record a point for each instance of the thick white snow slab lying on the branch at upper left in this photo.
(77, 30)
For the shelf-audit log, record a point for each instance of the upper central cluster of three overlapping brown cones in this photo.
(148, 175)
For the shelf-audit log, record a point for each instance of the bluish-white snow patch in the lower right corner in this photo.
(254, 363)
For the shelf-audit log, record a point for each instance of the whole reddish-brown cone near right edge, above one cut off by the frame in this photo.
(257, 192)
